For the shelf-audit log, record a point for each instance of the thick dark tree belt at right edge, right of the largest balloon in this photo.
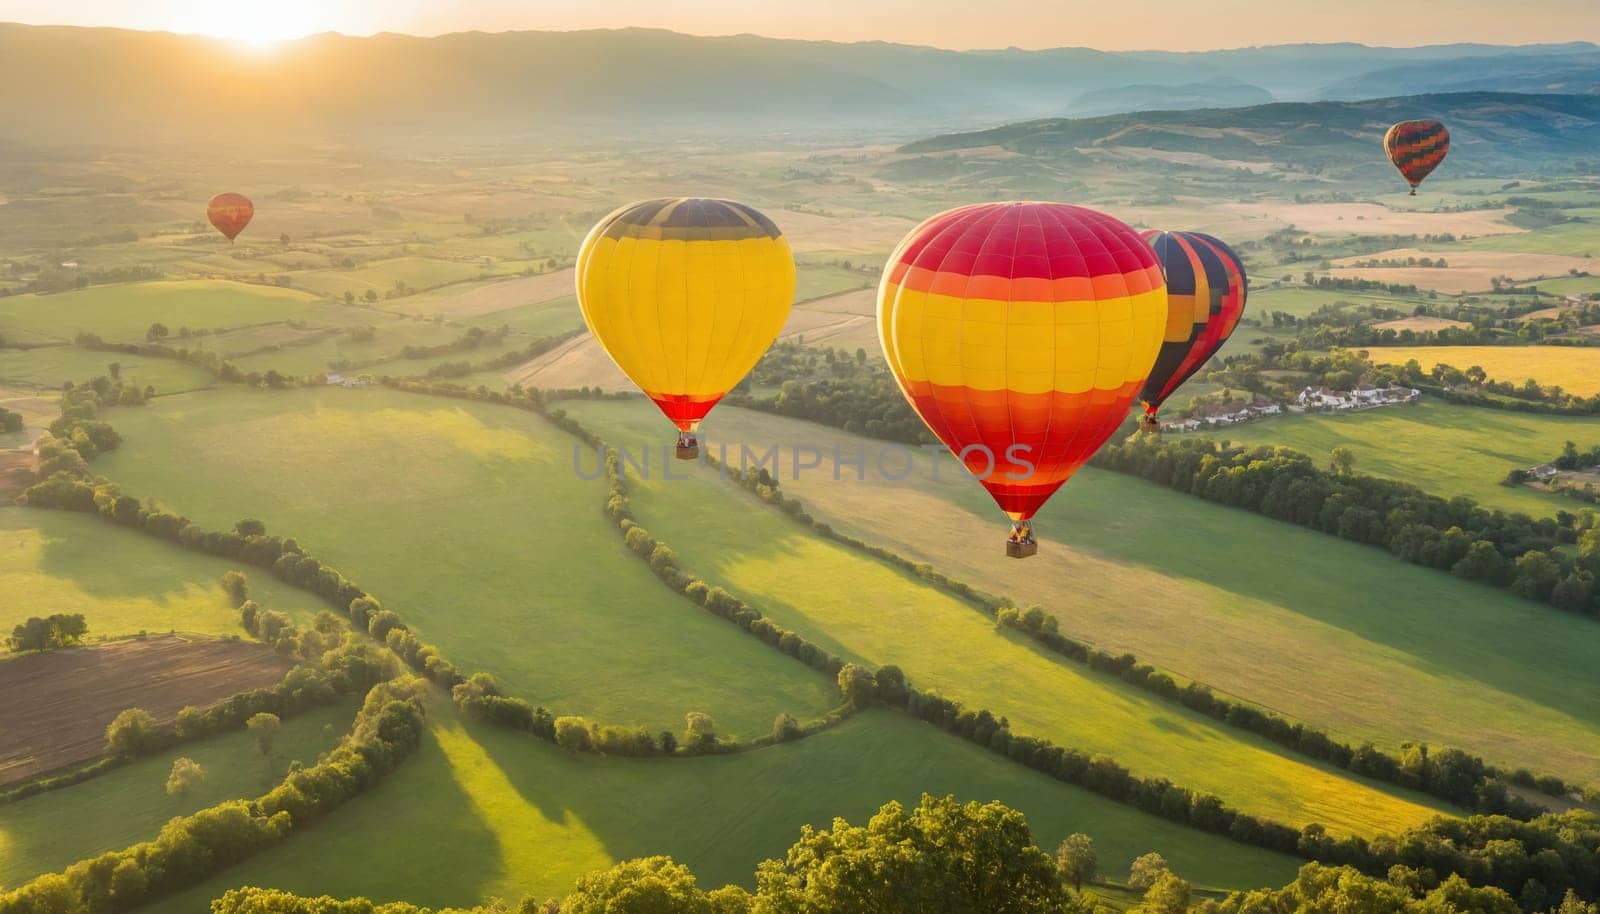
(1457, 535)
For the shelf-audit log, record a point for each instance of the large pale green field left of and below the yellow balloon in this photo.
(473, 524)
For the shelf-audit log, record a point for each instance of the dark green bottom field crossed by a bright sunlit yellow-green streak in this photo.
(510, 816)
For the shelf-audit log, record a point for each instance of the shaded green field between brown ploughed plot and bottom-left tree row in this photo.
(50, 832)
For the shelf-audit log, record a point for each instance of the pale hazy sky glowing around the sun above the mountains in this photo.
(1111, 25)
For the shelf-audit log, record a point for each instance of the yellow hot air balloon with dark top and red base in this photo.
(686, 295)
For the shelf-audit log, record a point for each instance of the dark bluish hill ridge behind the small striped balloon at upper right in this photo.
(1502, 134)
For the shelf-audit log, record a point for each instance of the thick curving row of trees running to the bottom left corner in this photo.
(196, 848)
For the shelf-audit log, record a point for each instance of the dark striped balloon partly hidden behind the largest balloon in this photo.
(1206, 295)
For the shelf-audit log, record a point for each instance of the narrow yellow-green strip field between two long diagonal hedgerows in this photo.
(873, 614)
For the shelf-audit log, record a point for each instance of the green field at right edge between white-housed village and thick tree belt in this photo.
(1446, 449)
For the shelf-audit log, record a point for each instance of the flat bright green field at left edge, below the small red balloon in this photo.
(124, 313)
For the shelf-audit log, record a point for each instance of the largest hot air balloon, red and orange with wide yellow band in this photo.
(1022, 335)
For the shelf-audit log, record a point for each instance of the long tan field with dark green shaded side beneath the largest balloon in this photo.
(1246, 604)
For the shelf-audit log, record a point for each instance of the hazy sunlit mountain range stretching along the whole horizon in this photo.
(116, 87)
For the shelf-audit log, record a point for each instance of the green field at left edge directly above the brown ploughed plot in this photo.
(121, 580)
